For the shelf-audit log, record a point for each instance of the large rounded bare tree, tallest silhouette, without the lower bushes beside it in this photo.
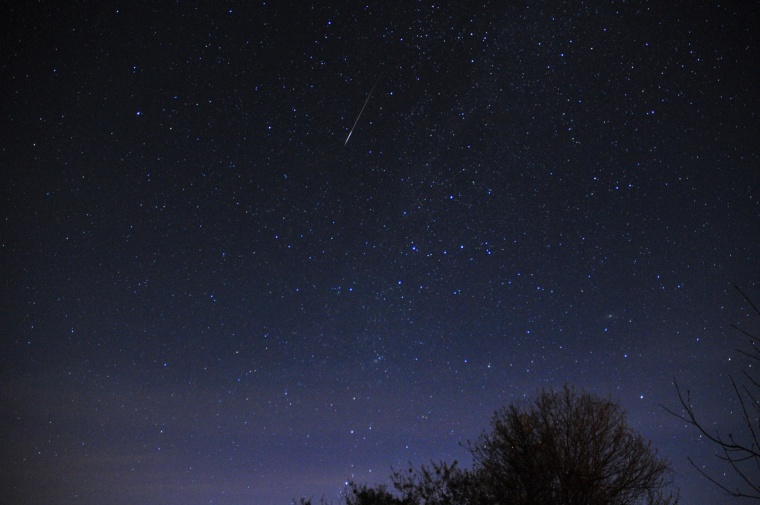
(568, 448)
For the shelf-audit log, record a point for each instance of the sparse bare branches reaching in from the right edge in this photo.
(741, 452)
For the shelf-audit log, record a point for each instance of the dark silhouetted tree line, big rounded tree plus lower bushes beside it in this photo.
(563, 448)
